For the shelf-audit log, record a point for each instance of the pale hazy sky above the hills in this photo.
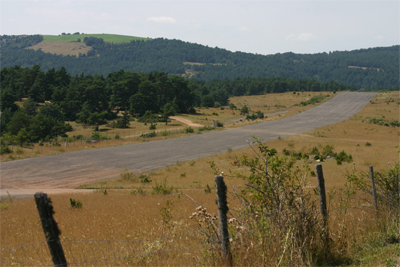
(260, 27)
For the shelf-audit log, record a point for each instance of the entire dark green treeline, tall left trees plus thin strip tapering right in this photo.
(52, 97)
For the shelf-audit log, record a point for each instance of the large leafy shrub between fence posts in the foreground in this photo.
(282, 217)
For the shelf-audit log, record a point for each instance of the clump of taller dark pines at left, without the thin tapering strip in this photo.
(53, 97)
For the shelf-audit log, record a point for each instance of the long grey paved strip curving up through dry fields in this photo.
(69, 170)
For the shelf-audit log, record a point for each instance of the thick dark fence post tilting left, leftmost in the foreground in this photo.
(50, 228)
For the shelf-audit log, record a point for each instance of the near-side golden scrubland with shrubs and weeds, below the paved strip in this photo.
(155, 215)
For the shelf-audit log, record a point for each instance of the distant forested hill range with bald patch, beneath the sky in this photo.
(104, 54)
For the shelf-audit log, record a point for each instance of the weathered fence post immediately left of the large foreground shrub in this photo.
(223, 220)
